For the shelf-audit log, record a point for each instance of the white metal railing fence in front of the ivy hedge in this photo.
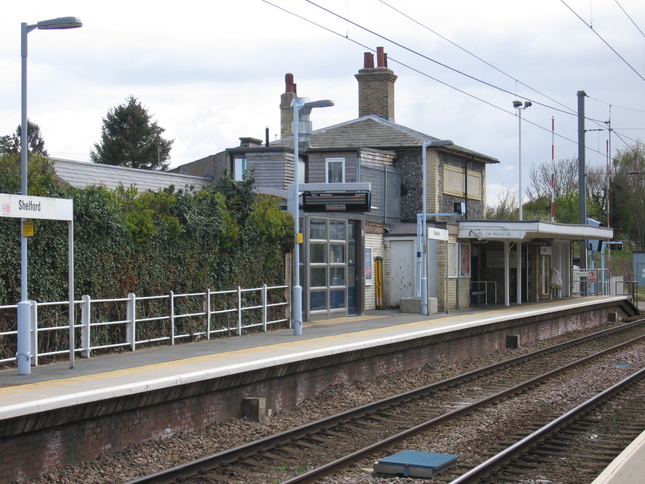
(135, 321)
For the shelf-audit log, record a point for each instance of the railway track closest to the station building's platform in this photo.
(309, 452)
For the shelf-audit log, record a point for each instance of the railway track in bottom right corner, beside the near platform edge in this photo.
(583, 441)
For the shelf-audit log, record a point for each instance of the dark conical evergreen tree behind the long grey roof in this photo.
(129, 137)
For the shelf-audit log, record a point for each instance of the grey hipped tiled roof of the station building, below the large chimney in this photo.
(375, 132)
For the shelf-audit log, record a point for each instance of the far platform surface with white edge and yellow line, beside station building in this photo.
(57, 385)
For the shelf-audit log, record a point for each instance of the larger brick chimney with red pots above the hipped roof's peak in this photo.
(376, 86)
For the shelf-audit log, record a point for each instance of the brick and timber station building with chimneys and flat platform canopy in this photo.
(355, 261)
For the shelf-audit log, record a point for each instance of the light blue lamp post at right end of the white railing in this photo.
(301, 106)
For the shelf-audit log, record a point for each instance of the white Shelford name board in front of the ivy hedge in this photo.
(21, 206)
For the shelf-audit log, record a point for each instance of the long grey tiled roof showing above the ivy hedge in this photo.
(81, 174)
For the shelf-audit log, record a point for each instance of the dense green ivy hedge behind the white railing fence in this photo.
(150, 243)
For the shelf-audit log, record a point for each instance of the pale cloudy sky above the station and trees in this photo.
(211, 72)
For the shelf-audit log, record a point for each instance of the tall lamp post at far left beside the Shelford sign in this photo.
(23, 355)
